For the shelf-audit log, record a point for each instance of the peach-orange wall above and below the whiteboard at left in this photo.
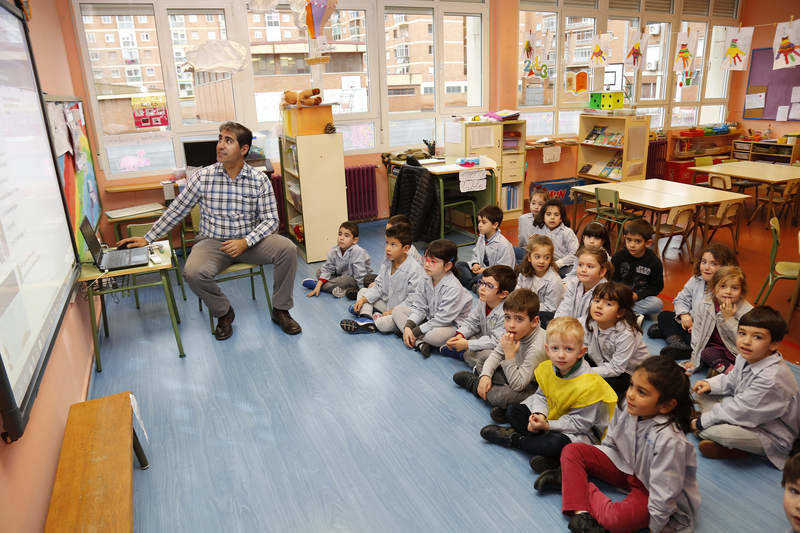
(28, 466)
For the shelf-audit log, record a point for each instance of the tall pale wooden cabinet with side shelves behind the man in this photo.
(314, 191)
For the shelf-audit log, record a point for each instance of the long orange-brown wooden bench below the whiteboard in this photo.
(93, 489)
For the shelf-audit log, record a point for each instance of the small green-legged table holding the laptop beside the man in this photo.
(91, 274)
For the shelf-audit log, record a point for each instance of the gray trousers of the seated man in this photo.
(207, 260)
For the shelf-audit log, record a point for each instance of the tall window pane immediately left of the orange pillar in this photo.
(462, 60)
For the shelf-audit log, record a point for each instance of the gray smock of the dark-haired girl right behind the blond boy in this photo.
(617, 350)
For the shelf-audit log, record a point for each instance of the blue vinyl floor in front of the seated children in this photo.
(325, 431)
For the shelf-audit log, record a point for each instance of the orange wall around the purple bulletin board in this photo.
(755, 13)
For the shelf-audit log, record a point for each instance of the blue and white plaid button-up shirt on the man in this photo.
(229, 208)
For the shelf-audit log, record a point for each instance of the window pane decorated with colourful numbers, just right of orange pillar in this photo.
(537, 66)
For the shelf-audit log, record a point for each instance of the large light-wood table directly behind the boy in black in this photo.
(659, 197)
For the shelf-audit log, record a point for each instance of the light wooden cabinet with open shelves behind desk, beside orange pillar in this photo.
(504, 143)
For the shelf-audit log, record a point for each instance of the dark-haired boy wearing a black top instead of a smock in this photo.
(638, 267)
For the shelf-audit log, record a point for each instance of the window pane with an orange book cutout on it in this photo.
(577, 79)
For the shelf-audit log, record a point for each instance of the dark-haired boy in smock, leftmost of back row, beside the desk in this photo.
(492, 248)
